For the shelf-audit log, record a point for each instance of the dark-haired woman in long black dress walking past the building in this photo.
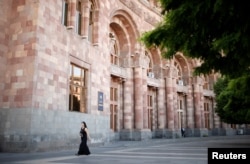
(84, 133)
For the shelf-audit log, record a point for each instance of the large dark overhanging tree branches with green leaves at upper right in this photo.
(217, 32)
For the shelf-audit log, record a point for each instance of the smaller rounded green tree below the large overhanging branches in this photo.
(233, 99)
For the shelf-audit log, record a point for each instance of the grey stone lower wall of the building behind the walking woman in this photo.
(28, 132)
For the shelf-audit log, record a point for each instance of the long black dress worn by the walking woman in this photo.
(83, 148)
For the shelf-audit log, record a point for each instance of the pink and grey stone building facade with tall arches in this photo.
(68, 61)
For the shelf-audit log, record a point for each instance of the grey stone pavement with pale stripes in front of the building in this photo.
(191, 150)
